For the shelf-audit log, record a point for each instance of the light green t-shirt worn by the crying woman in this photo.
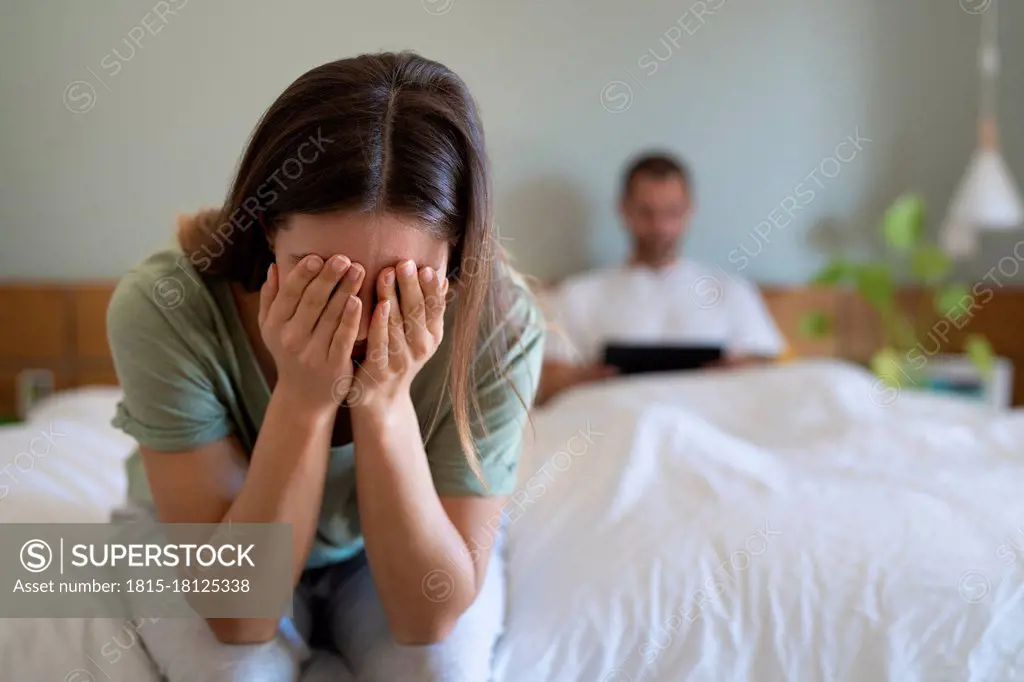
(191, 377)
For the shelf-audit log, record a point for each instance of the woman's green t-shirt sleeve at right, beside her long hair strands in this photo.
(503, 416)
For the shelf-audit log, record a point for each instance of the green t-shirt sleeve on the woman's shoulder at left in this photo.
(169, 400)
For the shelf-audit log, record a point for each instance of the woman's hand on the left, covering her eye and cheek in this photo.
(310, 331)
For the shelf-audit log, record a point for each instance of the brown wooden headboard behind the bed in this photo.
(62, 328)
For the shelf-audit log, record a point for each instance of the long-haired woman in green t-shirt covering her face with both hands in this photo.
(343, 349)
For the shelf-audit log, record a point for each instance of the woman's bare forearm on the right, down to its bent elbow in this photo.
(407, 532)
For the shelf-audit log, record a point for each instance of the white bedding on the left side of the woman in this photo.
(66, 465)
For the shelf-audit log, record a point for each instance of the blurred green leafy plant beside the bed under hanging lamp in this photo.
(911, 255)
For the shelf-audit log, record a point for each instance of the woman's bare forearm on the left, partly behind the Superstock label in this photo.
(284, 485)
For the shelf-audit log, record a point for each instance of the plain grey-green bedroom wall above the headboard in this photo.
(756, 96)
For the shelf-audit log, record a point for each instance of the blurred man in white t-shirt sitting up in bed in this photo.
(658, 296)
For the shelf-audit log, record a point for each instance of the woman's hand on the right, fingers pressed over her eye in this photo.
(405, 332)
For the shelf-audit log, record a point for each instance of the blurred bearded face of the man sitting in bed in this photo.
(657, 212)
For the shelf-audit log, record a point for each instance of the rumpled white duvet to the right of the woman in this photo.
(783, 524)
